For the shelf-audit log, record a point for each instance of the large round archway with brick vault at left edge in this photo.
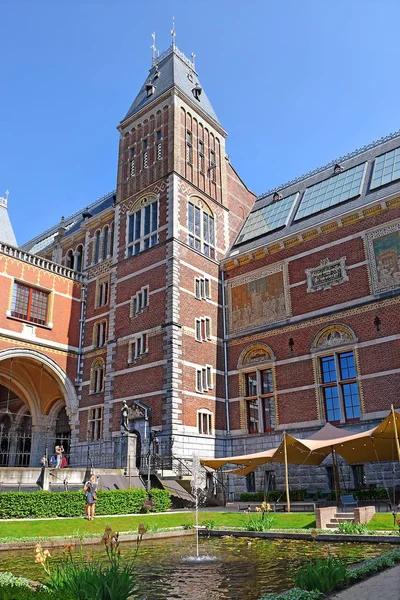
(35, 393)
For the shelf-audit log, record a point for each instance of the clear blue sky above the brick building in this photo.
(295, 83)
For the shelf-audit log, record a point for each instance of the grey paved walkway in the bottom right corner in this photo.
(384, 585)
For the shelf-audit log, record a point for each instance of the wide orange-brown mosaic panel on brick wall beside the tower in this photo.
(258, 299)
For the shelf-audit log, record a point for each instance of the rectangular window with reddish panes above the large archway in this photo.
(29, 304)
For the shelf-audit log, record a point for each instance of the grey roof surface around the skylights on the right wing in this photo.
(367, 154)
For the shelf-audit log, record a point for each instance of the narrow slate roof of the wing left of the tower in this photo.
(71, 223)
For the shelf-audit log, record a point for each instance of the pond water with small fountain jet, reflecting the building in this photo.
(243, 569)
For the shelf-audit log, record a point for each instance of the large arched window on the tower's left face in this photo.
(142, 227)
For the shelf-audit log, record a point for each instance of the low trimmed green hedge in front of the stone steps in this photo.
(20, 505)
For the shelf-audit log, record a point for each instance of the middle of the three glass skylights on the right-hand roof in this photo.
(332, 191)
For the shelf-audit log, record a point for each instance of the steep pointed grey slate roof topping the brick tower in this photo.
(172, 69)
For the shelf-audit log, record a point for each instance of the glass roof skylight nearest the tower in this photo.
(267, 219)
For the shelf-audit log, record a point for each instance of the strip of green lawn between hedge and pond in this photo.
(79, 526)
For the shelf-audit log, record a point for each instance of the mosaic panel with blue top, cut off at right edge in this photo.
(384, 257)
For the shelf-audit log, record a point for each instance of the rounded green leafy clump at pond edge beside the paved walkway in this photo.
(324, 575)
